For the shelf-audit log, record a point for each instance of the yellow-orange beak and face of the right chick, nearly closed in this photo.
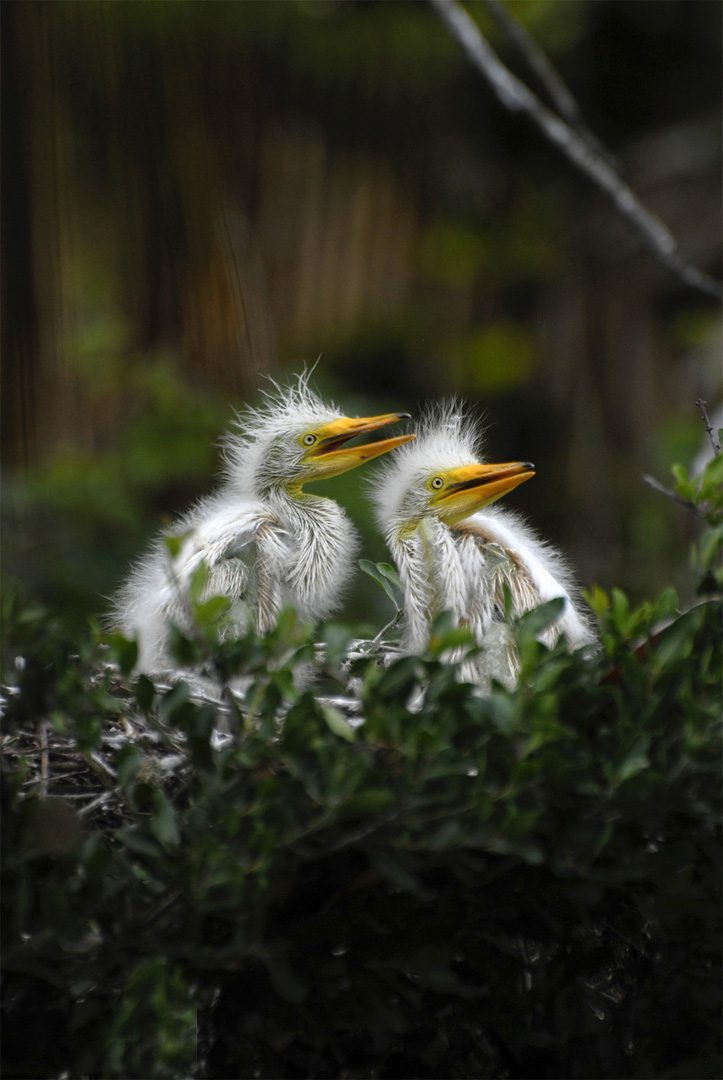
(472, 488)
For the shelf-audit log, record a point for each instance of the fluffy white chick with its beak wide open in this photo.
(265, 542)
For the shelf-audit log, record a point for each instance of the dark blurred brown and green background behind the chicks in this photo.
(198, 194)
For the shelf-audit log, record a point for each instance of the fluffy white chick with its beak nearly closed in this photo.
(454, 551)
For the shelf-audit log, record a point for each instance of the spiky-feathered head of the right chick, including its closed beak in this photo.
(441, 476)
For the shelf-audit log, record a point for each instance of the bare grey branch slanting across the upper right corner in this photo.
(516, 97)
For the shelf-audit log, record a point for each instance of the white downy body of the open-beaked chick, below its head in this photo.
(262, 557)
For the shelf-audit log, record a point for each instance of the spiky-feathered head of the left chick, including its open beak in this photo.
(296, 439)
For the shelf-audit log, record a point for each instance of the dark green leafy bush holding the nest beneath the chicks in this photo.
(525, 884)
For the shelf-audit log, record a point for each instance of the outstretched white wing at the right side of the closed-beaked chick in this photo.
(532, 571)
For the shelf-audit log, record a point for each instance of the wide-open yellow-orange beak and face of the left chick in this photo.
(330, 457)
